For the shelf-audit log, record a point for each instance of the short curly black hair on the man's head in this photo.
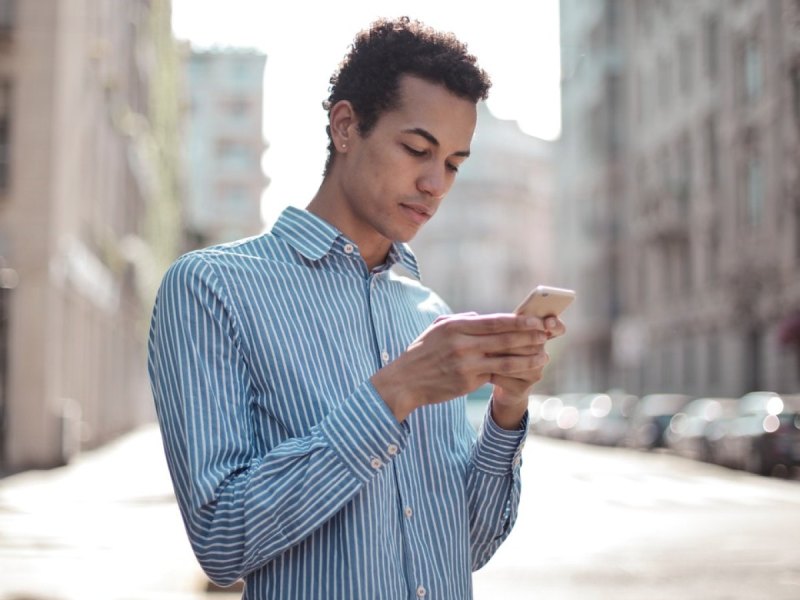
(369, 74)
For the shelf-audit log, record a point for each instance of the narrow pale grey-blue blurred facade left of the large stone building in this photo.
(590, 156)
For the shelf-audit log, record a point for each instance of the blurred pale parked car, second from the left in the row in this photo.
(603, 418)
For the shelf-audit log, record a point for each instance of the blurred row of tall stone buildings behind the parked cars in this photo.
(679, 194)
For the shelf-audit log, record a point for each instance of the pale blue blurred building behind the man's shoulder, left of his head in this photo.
(224, 145)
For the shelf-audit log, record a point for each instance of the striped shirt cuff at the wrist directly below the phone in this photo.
(498, 451)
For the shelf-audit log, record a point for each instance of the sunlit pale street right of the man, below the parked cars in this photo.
(609, 523)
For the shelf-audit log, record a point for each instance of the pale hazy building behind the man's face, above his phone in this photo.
(489, 243)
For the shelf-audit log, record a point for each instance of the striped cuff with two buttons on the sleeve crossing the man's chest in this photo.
(364, 432)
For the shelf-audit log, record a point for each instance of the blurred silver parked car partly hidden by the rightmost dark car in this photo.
(687, 434)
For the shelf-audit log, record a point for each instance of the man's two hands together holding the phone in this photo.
(459, 353)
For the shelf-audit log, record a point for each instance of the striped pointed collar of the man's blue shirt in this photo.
(314, 238)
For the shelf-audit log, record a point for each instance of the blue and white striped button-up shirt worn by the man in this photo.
(289, 469)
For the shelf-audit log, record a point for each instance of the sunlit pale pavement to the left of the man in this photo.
(105, 526)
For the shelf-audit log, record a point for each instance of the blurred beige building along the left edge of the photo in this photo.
(88, 214)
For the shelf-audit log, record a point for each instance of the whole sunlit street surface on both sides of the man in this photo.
(595, 523)
